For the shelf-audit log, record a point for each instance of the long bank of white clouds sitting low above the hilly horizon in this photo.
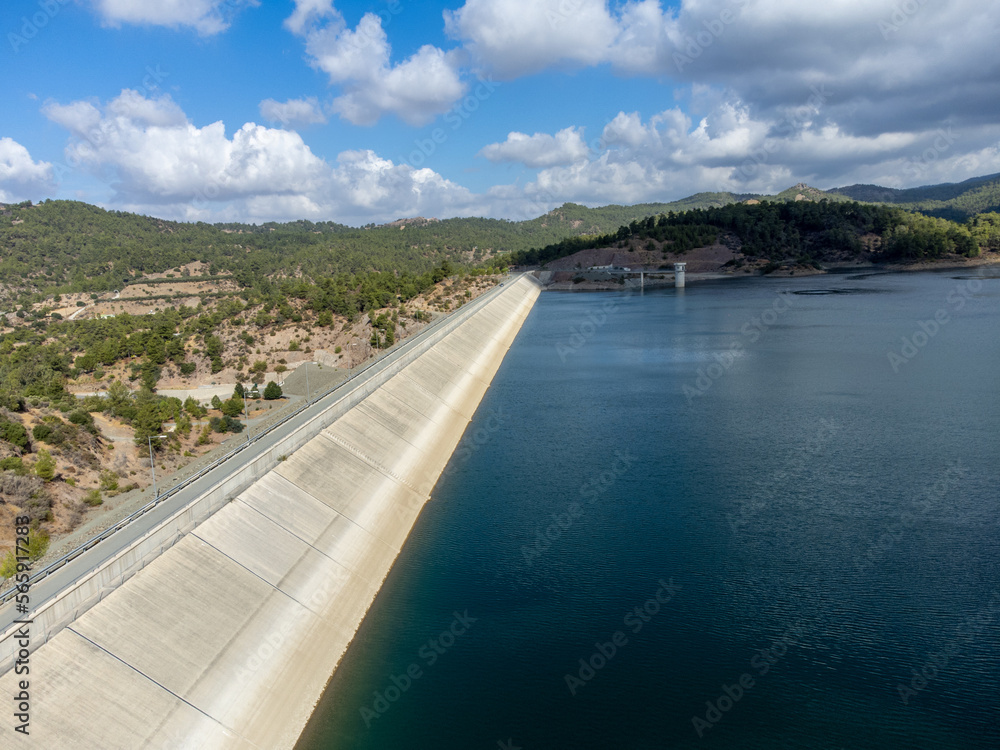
(158, 162)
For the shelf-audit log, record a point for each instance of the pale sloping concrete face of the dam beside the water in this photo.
(228, 638)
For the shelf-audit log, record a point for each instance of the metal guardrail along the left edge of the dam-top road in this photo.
(428, 330)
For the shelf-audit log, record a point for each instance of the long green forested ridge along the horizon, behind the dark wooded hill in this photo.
(73, 246)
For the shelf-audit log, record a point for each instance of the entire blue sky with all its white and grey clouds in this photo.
(359, 112)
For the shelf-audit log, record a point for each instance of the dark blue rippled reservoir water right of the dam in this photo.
(818, 519)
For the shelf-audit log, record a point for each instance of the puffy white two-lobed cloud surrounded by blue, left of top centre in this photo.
(417, 89)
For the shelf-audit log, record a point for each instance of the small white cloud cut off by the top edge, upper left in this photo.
(207, 17)
